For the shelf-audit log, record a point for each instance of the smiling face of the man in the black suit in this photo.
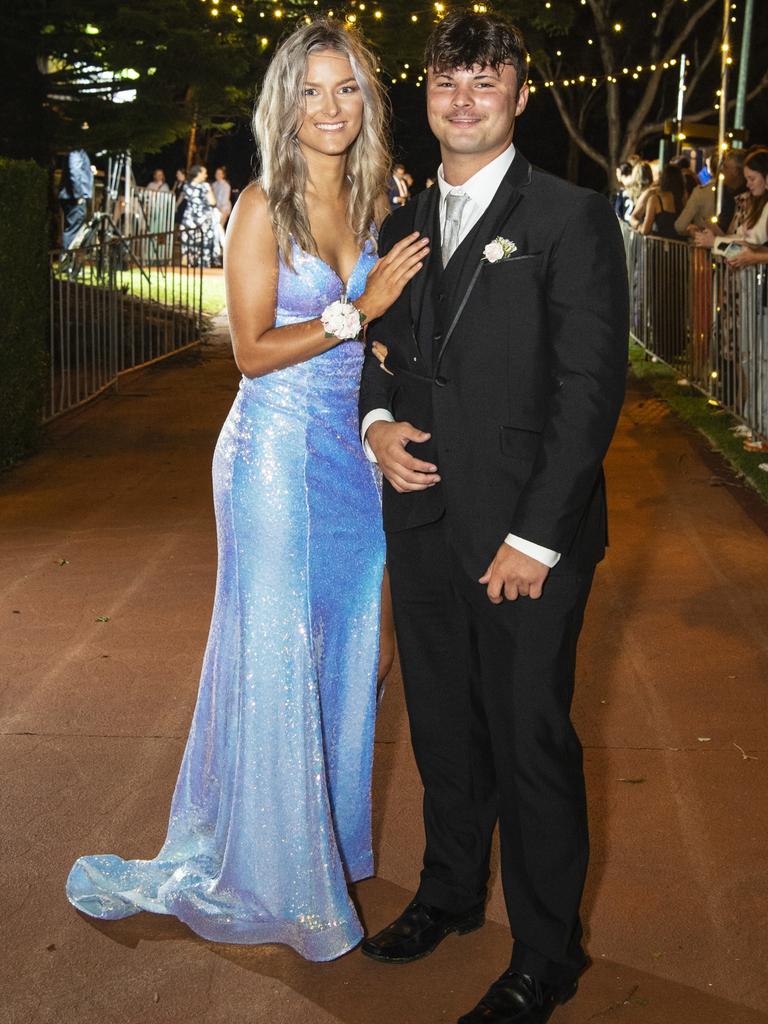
(473, 111)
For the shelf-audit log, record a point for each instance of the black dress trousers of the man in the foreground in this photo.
(489, 692)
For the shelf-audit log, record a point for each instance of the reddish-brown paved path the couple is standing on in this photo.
(114, 520)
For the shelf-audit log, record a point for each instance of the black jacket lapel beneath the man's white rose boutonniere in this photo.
(508, 195)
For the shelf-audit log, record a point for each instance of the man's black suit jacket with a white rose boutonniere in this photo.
(522, 379)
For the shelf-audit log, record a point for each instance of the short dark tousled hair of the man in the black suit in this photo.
(466, 39)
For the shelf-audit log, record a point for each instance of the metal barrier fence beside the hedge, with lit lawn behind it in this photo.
(118, 305)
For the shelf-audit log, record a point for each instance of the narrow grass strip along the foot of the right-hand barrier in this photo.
(713, 421)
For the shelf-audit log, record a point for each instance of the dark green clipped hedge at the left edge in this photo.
(24, 305)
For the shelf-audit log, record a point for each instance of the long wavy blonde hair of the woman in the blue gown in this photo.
(278, 118)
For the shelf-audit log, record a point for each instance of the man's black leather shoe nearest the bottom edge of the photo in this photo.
(521, 999)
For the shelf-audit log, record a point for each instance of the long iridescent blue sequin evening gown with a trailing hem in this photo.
(272, 814)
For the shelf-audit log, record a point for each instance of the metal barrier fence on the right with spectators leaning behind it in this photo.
(705, 319)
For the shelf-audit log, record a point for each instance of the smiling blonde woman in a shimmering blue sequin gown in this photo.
(271, 819)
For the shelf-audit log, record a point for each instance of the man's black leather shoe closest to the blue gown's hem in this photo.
(418, 931)
